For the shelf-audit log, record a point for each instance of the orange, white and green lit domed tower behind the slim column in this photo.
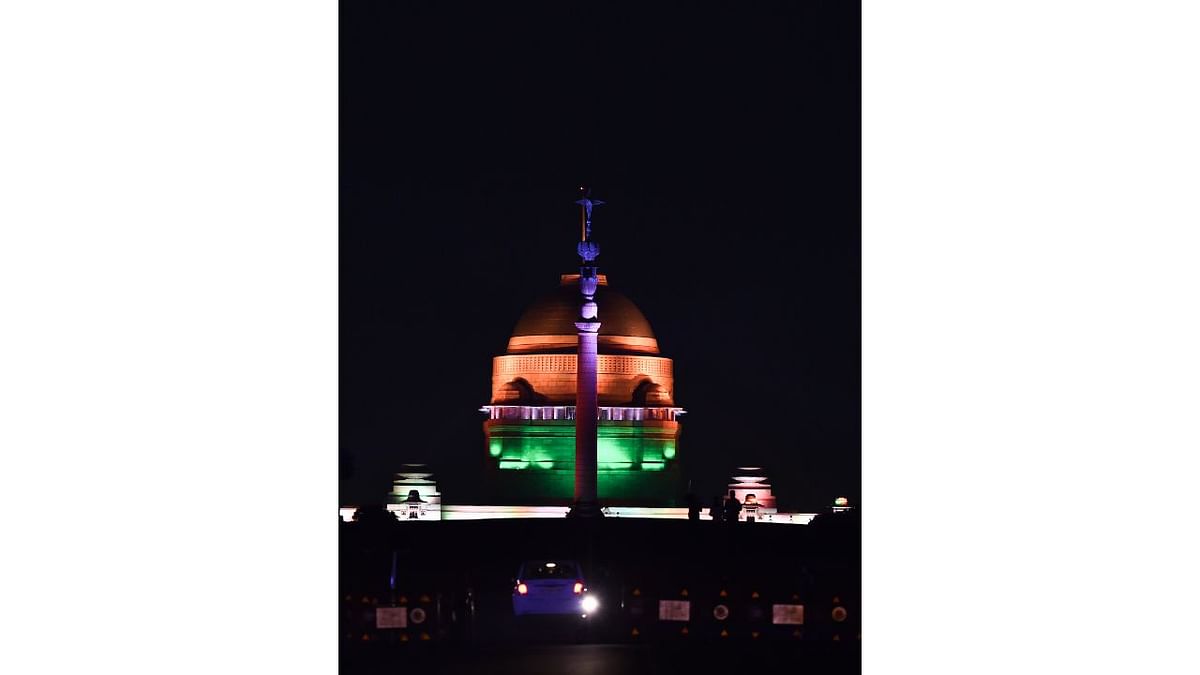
(530, 431)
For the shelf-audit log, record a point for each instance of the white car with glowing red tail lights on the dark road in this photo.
(550, 588)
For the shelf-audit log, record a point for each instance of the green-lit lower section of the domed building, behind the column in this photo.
(533, 462)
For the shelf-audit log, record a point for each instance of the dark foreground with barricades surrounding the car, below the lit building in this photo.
(675, 596)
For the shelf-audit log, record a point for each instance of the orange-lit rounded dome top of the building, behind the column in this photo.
(549, 324)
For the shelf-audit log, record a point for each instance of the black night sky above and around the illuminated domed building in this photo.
(724, 136)
